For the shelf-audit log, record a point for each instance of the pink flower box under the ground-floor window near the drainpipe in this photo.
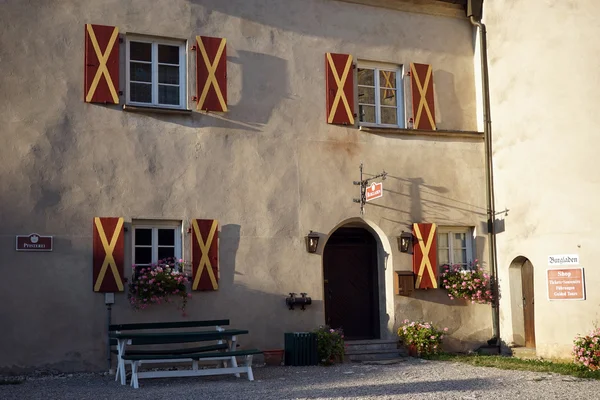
(472, 284)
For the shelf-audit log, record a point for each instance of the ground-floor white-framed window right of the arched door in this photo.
(455, 246)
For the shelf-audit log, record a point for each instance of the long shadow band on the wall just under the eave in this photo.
(334, 20)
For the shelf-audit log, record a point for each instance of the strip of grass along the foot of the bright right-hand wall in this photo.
(511, 363)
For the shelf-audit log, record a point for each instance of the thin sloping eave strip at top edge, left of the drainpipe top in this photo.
(431, 7)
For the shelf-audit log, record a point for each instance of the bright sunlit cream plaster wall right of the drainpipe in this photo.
(544, 90)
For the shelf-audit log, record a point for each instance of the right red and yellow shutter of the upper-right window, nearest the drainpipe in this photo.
(423, 108)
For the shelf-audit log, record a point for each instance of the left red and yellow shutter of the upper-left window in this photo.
(101, 71)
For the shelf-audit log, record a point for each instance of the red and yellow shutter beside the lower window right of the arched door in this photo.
(425, 256)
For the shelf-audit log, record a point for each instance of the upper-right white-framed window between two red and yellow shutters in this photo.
(380, 96)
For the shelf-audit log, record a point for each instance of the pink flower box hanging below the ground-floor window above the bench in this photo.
(158, 283)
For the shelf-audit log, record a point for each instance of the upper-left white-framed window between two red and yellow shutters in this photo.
(155, 72)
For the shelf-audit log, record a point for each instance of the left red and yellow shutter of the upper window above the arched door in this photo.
(339, 79)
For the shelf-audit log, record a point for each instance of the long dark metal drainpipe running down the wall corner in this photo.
(489, 175)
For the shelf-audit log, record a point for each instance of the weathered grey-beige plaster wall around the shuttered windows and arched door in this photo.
(269, 170)
